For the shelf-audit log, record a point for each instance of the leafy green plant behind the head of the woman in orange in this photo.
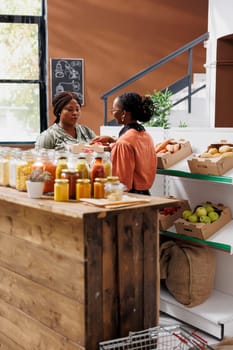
(162, 106)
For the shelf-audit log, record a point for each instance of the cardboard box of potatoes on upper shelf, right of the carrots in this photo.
(211, 166)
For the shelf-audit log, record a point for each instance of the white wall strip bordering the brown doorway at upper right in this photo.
(220, 23)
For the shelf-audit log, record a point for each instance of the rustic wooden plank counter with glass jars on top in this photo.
(72, 275)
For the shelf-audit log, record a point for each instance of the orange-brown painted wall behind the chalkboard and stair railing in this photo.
(118, 38)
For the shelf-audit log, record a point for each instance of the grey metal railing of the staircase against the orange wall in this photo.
(175, 87)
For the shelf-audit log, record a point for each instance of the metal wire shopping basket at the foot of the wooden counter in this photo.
(158, 338)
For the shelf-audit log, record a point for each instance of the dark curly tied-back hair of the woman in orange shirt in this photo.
(140, 107)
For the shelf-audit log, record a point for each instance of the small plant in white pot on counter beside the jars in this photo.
(35, 182)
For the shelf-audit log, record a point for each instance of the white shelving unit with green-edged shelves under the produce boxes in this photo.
(215, 316)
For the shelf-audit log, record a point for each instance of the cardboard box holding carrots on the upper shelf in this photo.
(166, 160)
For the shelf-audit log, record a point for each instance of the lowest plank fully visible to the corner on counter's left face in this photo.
(62, 314)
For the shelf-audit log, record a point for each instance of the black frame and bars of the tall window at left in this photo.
(42, 59)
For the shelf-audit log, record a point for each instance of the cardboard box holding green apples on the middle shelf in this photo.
(202, 230)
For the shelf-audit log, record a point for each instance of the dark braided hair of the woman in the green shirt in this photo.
(61, 100)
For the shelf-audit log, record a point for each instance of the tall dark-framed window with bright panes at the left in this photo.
(23, 92)
